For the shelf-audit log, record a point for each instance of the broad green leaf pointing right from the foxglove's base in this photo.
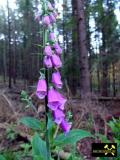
(72, 137)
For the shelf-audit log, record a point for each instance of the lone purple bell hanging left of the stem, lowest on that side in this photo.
(41, 91)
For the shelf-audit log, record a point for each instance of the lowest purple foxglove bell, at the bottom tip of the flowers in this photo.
(65, 126)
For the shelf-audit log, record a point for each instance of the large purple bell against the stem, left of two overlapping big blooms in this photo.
(53, 99)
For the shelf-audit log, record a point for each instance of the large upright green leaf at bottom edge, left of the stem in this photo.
(39, 147)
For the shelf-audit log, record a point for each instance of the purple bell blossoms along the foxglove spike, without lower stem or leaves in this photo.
(55, 101)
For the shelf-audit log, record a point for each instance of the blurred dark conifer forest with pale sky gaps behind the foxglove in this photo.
(20, 57)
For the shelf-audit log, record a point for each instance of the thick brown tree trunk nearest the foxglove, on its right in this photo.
(83, 52)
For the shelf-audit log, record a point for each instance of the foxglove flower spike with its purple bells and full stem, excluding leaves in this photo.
(54, 101)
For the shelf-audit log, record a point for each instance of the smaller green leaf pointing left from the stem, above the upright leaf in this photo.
(31, 123)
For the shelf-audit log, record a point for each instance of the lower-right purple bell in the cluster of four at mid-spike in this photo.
(56, 61)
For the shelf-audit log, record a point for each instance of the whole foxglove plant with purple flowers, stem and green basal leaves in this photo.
(54, 100)
